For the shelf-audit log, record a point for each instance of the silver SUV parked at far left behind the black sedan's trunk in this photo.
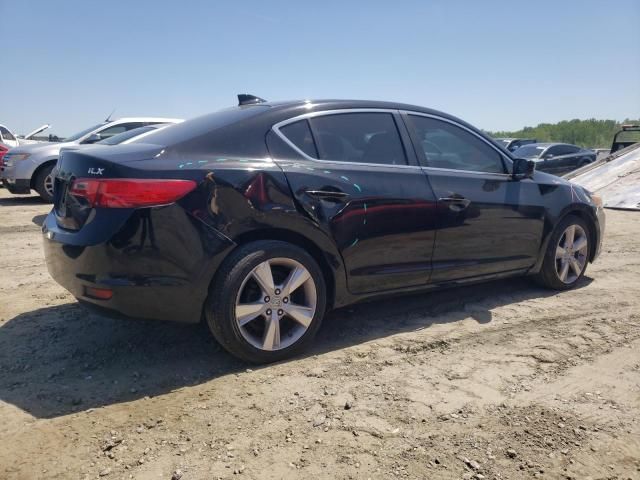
(28, 167)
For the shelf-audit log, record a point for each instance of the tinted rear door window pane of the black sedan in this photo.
(358, 137)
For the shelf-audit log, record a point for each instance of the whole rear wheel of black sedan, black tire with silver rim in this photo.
(244, 310)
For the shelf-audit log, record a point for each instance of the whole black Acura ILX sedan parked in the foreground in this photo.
(261, 217)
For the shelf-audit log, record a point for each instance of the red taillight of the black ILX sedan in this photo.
(130, 192)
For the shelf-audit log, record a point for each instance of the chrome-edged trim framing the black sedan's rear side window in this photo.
(306, 116)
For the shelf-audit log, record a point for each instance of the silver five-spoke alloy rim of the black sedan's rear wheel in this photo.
(276, 304)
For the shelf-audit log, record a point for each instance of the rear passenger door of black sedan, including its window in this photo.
(351, 172)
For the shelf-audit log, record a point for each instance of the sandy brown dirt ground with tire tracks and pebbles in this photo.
(503, 380)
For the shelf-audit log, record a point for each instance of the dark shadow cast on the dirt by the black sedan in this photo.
(63, 359)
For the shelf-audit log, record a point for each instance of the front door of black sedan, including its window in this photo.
(488, 223)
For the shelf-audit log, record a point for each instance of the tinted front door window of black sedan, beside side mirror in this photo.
(448, 146)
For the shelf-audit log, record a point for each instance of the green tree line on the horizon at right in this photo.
(590, 133)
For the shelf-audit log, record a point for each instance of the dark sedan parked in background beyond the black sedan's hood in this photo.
(556, 158)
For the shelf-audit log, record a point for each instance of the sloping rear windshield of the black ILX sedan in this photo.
(199, 126)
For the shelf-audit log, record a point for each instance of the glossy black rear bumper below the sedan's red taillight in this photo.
(164, 275)
